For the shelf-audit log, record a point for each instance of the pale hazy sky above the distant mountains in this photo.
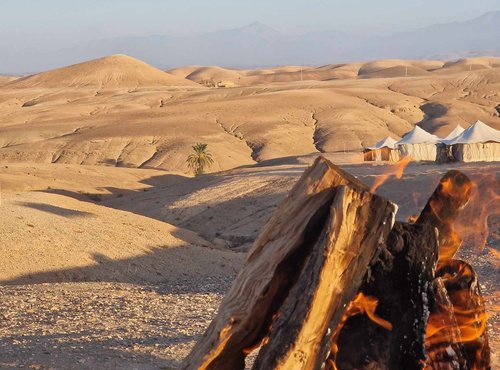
(63, 23)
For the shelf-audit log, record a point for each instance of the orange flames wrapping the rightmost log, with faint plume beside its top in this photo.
(460, 318)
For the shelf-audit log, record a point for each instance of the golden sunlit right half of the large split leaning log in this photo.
(358, 225)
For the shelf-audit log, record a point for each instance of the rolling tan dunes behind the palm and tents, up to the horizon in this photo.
(333, 109)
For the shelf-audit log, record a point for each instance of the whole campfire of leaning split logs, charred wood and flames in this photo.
(334, 282)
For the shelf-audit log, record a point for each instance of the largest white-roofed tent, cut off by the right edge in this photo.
(479, 142)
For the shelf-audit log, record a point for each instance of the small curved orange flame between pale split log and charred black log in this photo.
(359, 305)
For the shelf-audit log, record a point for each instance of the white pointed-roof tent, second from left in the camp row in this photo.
(418, 144)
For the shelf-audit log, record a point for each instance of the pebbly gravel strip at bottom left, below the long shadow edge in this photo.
(104, 325)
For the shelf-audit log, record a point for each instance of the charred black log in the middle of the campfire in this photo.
(401, 279)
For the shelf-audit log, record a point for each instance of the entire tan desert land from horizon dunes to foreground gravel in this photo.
(114, 256)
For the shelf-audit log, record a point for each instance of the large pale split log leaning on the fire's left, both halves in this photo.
(314, 250)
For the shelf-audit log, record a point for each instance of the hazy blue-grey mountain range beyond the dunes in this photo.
(260, 45)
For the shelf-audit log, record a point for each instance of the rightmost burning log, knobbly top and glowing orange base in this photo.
(456, 332)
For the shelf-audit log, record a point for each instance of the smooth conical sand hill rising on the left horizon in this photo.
(116, 71)
